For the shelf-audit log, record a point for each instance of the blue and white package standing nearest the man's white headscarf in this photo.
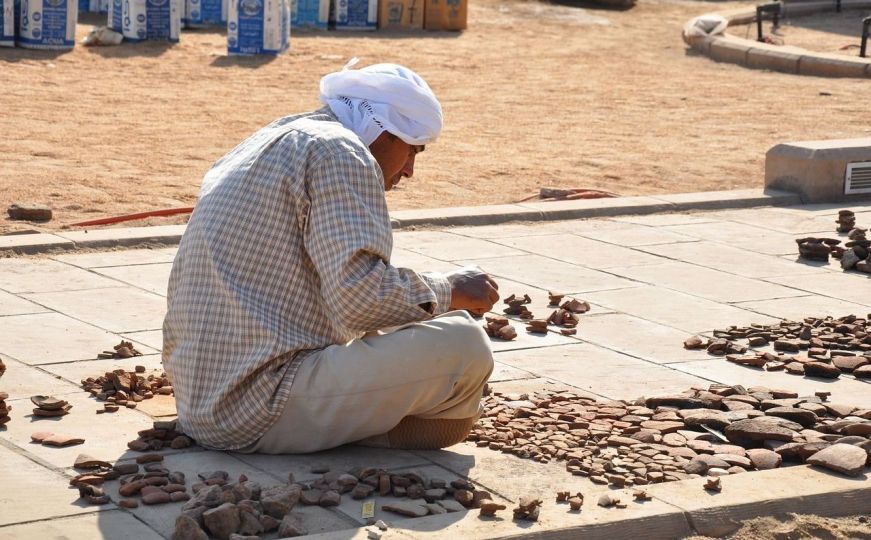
(258, 27)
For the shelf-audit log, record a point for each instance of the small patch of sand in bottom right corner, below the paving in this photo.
(802, 527)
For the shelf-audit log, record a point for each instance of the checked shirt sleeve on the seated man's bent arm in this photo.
(349, 239)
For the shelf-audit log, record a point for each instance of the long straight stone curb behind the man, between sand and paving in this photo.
(436, 217)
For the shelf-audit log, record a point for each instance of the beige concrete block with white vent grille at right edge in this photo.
(815, 169)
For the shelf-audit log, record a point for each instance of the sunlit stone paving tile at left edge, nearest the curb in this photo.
(18, 275)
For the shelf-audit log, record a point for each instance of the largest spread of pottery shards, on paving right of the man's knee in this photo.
(719, 431)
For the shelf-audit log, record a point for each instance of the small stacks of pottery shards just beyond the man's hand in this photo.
(565, 316)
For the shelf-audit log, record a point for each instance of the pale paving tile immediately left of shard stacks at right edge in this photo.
(741, 235)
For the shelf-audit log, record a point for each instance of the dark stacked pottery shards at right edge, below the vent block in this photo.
(853, 255)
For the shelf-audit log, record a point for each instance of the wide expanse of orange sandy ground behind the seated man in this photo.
(534, 95)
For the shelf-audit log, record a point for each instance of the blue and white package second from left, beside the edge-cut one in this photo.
(47, 24)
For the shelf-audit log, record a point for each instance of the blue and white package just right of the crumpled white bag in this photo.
(149, 20)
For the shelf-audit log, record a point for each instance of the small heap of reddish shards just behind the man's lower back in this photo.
(122, 388)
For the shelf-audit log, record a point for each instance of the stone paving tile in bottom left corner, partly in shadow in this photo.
(105, 524)
